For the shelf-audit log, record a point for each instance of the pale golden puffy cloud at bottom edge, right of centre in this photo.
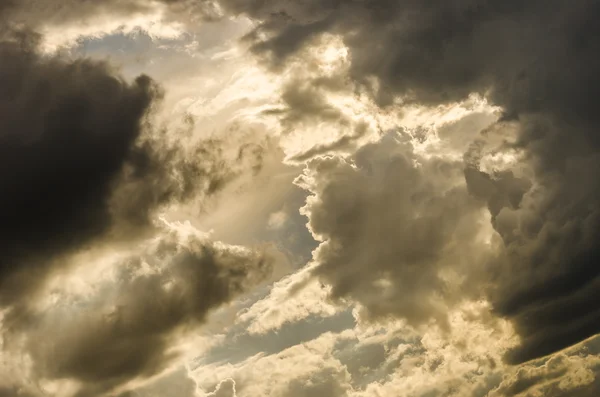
(463, 361)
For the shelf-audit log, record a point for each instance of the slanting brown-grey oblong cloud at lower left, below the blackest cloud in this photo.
(126, 330)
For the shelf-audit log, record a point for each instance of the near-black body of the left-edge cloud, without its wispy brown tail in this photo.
(68, 131)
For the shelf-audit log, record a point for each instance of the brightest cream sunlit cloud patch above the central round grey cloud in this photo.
(321, 68)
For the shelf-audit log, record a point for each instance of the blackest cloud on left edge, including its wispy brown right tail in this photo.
(80, 161)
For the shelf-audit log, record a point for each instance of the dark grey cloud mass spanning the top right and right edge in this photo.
(538, 61)
